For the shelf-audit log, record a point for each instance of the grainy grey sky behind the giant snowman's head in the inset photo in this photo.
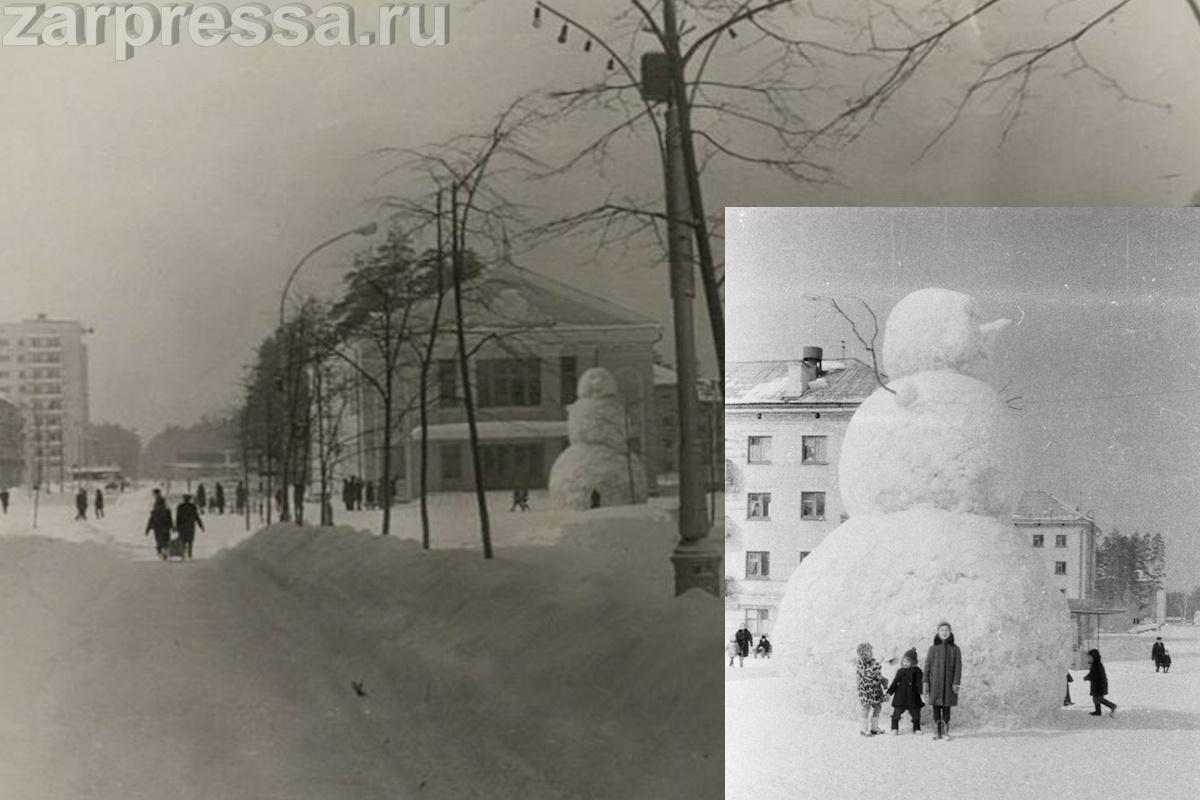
(1106, 356)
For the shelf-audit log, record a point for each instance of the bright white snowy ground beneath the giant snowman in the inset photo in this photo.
(1148, 750)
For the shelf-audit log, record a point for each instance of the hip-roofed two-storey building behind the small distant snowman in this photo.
(531, 339)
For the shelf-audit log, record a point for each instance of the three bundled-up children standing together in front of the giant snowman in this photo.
(939, 682)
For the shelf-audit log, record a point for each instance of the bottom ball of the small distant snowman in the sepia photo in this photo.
(619, 478)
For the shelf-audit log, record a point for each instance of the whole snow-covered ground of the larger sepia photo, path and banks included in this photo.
(561, 671)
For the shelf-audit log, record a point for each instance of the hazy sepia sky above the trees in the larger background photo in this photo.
(165, 200)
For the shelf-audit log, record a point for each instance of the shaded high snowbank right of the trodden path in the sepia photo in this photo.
(575, 658)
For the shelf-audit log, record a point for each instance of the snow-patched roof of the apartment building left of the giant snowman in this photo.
(751, 383)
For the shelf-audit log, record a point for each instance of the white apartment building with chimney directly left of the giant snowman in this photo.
(784, 426)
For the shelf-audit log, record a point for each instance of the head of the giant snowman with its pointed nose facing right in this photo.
(939, 329)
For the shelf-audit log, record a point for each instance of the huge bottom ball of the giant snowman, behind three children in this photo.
(890, 580)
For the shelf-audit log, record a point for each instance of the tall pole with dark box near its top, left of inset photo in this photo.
(697, 561)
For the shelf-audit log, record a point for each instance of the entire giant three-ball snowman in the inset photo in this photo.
(931, 476)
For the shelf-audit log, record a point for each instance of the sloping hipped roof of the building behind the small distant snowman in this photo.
(511, 297)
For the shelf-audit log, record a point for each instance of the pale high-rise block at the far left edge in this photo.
(44, 371)
